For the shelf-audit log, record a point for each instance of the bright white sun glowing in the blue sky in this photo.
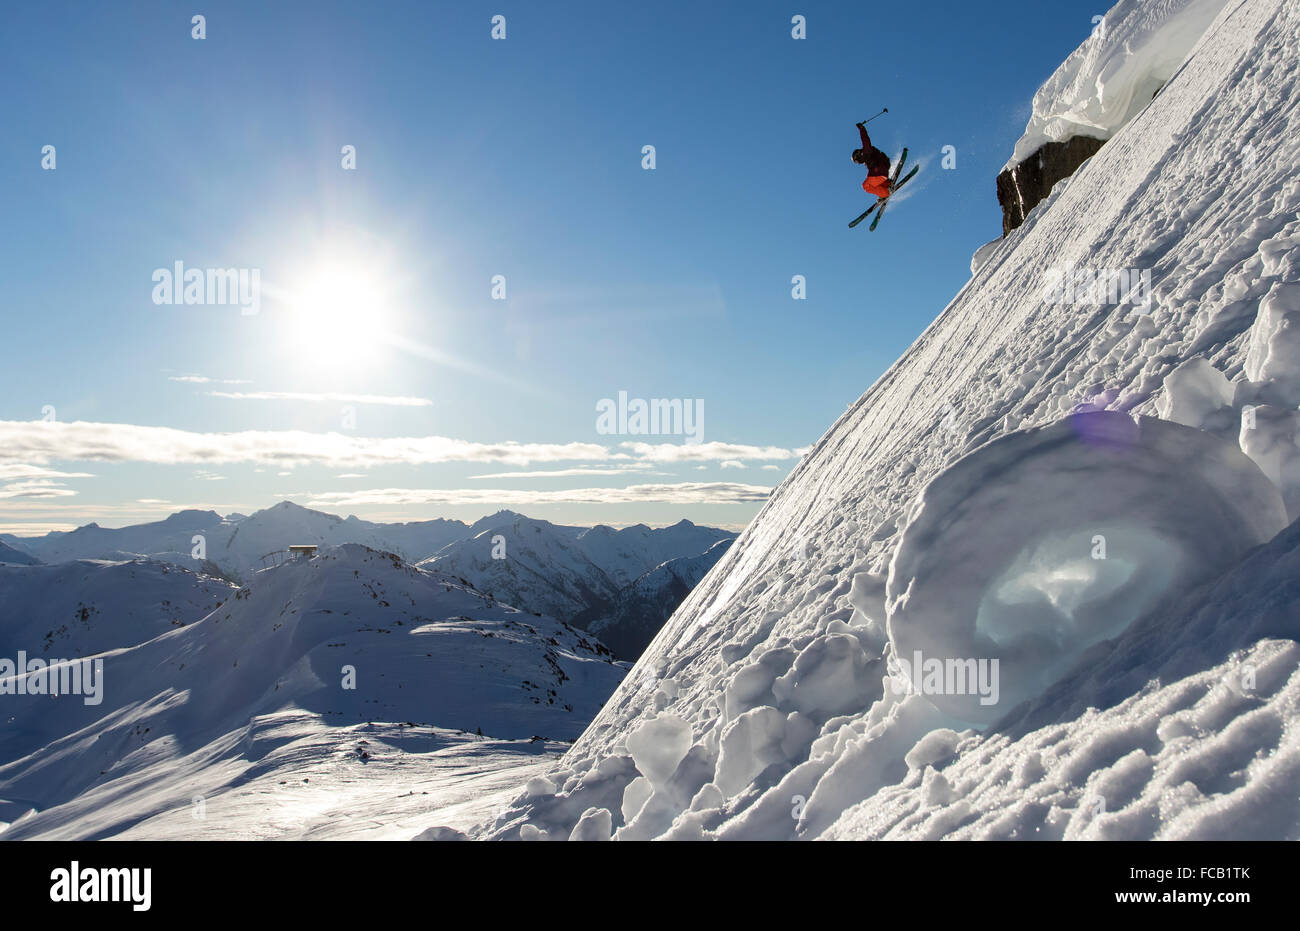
(340, 315)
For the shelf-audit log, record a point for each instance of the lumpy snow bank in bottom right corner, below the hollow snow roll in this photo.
(1198, 742)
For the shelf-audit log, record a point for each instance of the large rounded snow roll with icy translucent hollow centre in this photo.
(1050, 540)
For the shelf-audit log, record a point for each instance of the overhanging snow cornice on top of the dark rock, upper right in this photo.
(1110, 79)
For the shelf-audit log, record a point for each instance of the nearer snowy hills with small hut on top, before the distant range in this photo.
(350, 681)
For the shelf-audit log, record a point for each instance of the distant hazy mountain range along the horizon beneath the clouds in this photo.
(625, 581)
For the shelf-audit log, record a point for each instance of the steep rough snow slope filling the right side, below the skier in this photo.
(779, 661)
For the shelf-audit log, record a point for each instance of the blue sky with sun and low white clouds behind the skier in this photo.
(476, 158)
